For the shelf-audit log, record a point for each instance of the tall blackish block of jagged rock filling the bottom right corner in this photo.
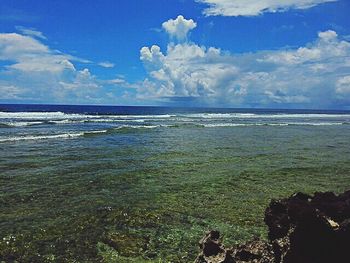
(315, 229)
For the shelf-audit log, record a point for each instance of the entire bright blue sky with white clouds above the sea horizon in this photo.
(193, 53)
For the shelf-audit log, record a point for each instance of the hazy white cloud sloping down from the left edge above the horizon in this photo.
(32, 71)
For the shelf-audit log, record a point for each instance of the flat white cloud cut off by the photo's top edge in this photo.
(254, 7)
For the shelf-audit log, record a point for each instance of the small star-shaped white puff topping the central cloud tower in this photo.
(179, 27)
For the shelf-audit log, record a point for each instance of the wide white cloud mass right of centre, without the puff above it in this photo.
(309, 76)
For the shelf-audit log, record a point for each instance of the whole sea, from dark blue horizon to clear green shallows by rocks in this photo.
(143, 184)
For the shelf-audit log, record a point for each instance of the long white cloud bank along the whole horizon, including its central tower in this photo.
(315, 75)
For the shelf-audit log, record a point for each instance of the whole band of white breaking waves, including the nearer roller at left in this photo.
(60, 125)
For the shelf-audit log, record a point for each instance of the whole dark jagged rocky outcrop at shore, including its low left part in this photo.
(302, 229)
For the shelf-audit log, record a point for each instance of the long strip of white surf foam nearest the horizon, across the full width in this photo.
(23, 119)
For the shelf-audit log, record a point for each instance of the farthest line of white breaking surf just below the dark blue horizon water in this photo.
(23, 119)
